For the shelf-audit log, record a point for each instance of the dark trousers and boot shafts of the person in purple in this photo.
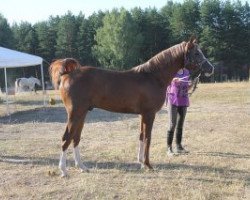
(176, 121)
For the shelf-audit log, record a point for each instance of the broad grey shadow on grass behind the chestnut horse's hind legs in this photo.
(58, 114)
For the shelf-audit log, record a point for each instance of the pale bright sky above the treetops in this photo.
(39, 10)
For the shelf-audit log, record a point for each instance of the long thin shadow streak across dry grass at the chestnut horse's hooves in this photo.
(224, 172)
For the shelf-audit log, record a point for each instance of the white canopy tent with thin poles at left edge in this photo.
(14, 59)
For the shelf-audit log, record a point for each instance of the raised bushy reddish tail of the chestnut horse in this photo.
(61, 67)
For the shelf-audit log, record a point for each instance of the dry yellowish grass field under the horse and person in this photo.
(217, 134)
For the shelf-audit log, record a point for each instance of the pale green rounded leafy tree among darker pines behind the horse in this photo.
(117, 41)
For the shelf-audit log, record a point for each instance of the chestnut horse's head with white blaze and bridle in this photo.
(195, 59)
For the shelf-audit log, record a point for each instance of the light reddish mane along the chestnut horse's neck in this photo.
(163, 59)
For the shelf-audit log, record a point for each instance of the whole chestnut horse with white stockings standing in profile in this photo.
(140, 90)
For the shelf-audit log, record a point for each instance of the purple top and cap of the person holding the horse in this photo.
(177, 92)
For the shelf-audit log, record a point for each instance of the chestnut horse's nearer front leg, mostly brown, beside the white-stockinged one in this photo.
(147, 125)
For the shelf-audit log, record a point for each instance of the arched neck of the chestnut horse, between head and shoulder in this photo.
(167, 63)
